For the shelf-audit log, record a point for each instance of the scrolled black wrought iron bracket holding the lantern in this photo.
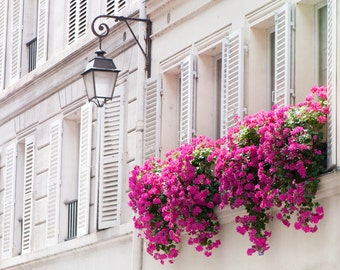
(102, 30)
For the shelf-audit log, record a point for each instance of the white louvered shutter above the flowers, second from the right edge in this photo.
(283, 63)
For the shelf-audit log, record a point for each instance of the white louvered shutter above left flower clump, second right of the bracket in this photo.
(187, 110)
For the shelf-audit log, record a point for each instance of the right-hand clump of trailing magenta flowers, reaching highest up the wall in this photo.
(273, 159)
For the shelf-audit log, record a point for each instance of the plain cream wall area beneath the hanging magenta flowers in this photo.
(289, 249)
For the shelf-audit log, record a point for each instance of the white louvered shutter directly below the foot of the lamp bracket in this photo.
(152, 118)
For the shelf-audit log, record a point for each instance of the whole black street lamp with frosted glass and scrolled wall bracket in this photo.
(100, 75)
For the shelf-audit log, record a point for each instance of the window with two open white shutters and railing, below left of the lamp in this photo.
(69, 176)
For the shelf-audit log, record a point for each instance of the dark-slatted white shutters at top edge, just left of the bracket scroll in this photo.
(77, 19)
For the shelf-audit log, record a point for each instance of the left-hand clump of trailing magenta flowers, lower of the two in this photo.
(176, 196)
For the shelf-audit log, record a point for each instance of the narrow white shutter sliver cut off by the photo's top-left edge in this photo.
(3, 39)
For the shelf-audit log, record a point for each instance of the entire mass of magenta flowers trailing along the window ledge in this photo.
(268, 163)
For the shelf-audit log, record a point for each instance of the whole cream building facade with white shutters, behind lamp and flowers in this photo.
(64, 163)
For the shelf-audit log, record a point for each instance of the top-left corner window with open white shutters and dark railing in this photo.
(24, 37)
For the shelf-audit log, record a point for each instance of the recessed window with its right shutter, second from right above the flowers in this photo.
(272, 61)
